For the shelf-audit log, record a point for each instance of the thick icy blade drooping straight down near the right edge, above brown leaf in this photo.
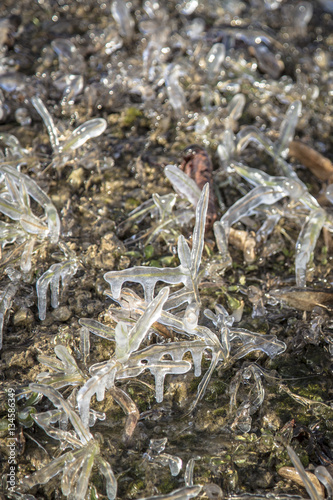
(306, 243)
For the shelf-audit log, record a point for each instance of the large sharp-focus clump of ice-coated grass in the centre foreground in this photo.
(226, 344)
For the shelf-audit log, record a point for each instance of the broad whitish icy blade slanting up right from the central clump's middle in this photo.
(151, 314)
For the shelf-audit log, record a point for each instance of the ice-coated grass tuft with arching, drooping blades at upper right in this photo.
(287, 186)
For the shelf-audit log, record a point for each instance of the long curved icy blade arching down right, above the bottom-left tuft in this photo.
(56, 398)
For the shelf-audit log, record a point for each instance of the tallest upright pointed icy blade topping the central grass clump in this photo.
(198, 240)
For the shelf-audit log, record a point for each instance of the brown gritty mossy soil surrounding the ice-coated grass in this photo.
(96, 187)
